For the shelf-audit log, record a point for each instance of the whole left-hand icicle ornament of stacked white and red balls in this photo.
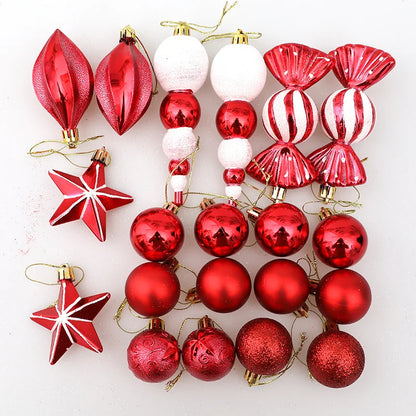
(181, 66)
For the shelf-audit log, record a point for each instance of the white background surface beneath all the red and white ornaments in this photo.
(86, 383)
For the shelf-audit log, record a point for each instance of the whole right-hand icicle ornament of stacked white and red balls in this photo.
(238, 75)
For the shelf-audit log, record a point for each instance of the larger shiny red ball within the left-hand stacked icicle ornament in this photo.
(180, 109)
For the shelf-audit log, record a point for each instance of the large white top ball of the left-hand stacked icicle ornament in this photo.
(181, 63)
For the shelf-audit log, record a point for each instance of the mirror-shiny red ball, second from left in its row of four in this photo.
(221, 230)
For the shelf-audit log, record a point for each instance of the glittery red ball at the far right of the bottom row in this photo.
(335, 359)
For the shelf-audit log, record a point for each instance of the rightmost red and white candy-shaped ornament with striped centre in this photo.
(348, 115)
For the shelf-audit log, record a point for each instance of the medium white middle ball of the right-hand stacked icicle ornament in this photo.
(234, 153)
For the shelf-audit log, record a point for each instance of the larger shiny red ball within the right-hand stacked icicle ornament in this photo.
(236, 119)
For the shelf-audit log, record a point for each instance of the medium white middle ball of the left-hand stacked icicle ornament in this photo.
(179, 143)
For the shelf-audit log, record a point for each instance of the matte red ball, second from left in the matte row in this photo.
(223, 285)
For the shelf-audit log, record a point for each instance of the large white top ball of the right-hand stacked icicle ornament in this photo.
(238, 72)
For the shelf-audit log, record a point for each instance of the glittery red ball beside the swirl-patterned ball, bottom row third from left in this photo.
(263, 346)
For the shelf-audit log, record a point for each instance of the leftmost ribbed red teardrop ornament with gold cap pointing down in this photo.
(63, 82)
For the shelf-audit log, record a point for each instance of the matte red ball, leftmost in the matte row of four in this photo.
(152, 289)
